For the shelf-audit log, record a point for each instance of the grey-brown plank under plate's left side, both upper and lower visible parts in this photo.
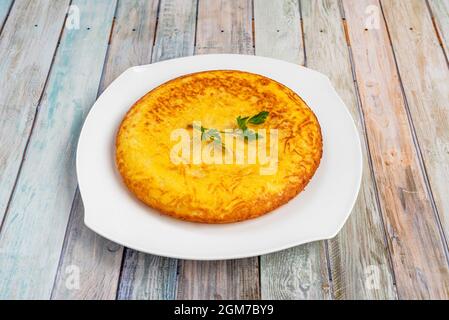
(97, 259)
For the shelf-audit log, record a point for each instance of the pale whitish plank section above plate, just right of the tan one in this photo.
(278, 30)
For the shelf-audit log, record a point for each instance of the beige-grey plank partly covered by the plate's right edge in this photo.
(355, 257)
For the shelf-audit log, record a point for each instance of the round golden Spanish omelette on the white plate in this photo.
(216, 193)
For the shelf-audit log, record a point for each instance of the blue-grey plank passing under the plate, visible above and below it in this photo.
(147, 276)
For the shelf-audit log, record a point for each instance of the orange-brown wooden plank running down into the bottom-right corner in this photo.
(418, 254)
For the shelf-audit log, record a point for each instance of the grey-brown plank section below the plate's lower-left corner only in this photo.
(89, 268)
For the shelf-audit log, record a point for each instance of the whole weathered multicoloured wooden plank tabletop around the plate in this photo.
(388, 59)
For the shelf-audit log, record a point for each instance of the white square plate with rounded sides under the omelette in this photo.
(317, 213)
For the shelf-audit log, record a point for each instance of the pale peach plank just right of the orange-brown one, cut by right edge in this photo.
(425, 76)
